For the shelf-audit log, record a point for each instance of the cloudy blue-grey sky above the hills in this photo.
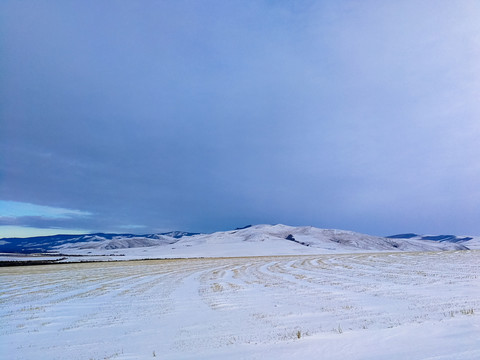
(151, 116)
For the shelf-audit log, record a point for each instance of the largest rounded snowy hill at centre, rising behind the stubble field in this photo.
(283, 239)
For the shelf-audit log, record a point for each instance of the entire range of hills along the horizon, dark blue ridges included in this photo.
(250, 239)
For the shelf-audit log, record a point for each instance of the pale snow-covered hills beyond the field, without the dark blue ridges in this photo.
(258, 240)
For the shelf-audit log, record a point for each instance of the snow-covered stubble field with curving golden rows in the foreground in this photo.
(356, 306)
